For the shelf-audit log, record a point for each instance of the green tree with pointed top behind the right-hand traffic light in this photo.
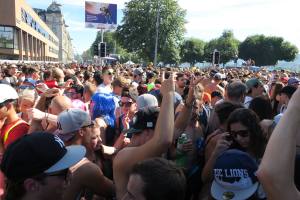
(226, 44)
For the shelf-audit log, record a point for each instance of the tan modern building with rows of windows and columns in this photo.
(24, 35)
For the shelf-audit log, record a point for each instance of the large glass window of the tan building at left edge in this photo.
(6, 37)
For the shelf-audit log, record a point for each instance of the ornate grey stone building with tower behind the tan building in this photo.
(53, 17)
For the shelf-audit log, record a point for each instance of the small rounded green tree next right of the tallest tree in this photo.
(192, 51)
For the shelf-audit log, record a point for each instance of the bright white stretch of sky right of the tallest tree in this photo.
(208, 19)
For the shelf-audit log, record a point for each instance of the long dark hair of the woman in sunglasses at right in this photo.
(249, 119)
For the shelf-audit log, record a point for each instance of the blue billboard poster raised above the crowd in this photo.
(100, 15)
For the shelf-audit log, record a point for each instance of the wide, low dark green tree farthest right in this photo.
(267, 50)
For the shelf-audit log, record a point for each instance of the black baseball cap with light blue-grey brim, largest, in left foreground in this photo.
(39, 153)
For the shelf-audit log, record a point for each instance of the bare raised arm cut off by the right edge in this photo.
(276, 172)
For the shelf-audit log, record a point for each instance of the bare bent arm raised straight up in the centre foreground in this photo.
(160, 142)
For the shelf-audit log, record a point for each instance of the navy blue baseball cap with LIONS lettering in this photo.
(234, 176)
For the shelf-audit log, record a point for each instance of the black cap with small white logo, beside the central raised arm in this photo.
(145, 118)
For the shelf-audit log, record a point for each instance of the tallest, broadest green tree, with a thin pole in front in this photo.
(138, 30)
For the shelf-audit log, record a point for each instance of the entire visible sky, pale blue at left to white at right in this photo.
(206, 19)
